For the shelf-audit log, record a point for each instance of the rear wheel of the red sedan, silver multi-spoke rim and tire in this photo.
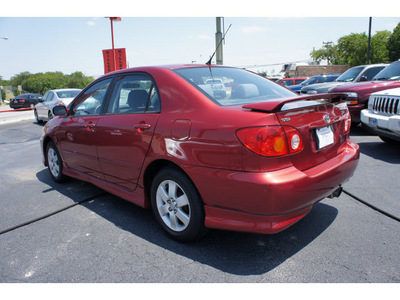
(177, 205)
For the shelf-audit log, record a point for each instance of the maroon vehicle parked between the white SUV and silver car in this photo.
(358, 93)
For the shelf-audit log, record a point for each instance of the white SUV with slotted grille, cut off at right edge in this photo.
(383, 115)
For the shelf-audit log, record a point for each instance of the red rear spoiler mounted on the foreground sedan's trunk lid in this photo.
(276, 105)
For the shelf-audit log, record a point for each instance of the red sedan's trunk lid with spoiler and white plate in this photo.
(320, 120)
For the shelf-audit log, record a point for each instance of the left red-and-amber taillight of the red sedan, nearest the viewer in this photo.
(271, 141)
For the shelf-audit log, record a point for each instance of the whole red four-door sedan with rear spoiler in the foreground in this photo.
(204, 146)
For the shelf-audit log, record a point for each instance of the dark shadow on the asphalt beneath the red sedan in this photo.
(231, 252)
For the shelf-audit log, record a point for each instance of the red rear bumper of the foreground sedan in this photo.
(269, 202)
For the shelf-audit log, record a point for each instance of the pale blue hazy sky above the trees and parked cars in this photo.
(262, 37)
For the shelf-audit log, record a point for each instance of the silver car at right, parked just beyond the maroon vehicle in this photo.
(352, 75)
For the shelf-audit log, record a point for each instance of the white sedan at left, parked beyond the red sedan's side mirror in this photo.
(44, 110)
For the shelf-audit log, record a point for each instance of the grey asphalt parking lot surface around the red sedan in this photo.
(75, 232)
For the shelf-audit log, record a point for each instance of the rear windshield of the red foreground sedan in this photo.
(230, 86)
